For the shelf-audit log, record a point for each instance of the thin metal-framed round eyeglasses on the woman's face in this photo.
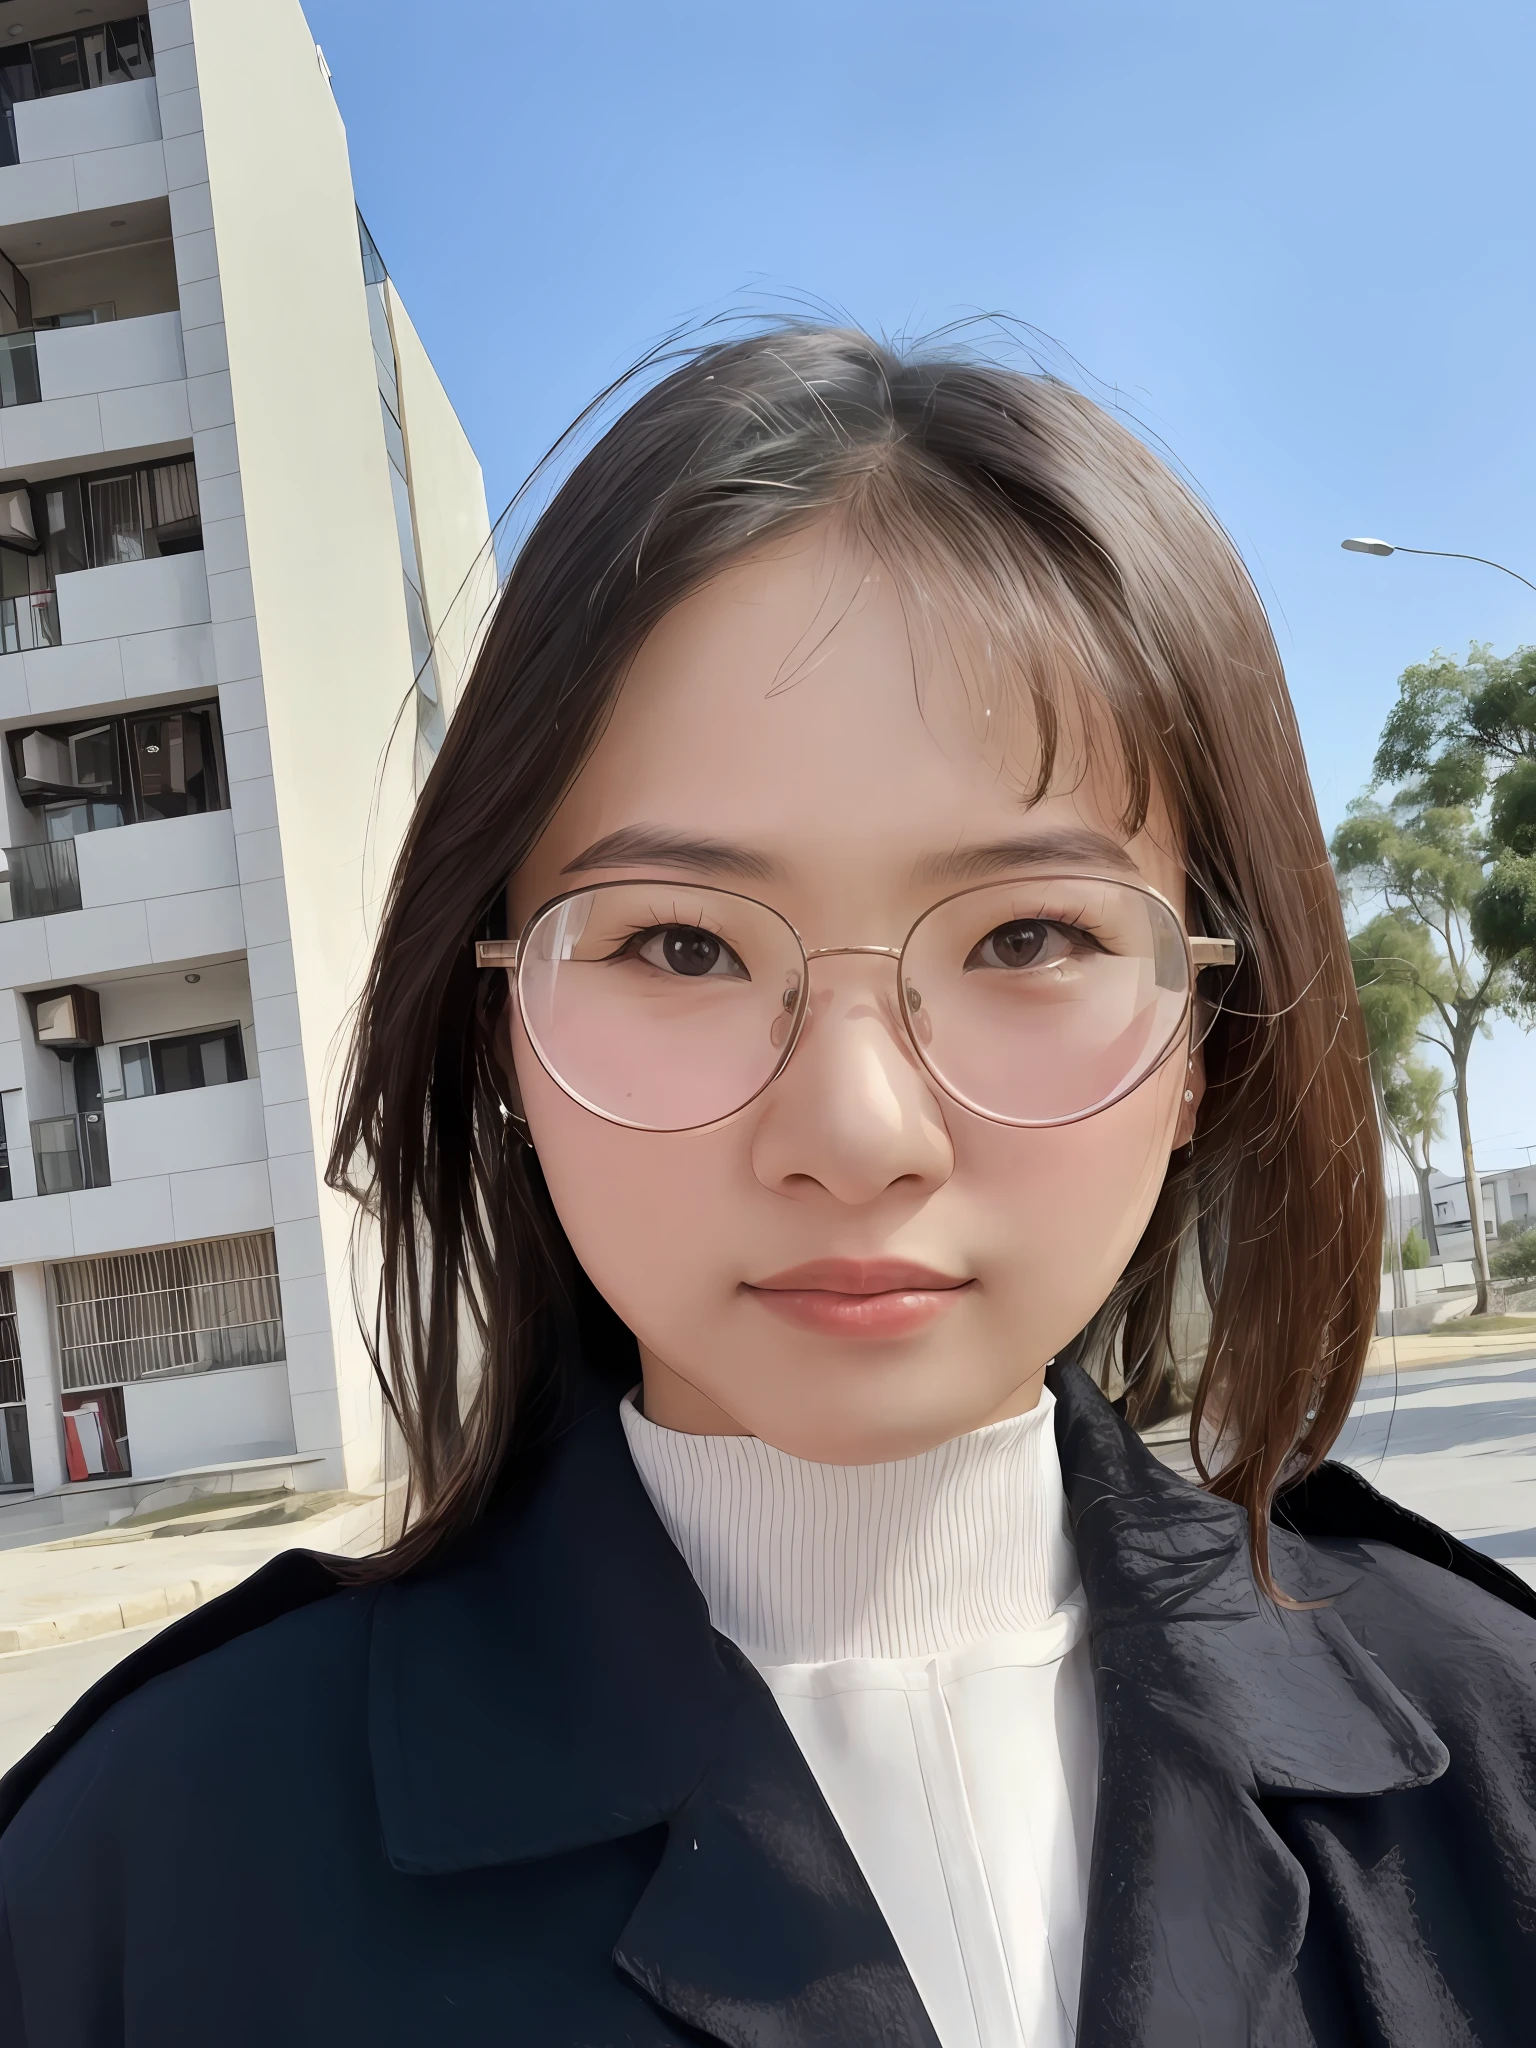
(1031, 1002)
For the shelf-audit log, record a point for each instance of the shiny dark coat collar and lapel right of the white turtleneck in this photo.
(1209, 1697)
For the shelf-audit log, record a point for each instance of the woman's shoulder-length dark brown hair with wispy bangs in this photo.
(1103, 572)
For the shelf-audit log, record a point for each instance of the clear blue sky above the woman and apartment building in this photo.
(1293, 243)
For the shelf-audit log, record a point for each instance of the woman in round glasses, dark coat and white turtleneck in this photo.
(865, 931)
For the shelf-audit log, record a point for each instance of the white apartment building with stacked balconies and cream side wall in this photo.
(237, 513)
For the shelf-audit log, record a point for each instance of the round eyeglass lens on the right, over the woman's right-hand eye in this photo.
(1043, 1000)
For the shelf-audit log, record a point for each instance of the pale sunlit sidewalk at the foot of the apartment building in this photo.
(165, 1564)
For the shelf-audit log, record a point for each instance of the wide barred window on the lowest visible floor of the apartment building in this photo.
(155, 1314)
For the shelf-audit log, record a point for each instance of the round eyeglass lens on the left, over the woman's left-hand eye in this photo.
(658, 1005)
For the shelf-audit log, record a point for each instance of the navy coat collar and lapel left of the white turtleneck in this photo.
(570, 1631)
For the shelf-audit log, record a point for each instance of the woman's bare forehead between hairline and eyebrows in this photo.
(822, 710)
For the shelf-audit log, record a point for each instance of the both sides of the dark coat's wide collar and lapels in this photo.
(568, 1629)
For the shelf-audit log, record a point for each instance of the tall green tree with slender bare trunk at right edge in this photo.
(1453, 859)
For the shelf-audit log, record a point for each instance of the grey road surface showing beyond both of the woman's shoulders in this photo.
(1455, 1443)
